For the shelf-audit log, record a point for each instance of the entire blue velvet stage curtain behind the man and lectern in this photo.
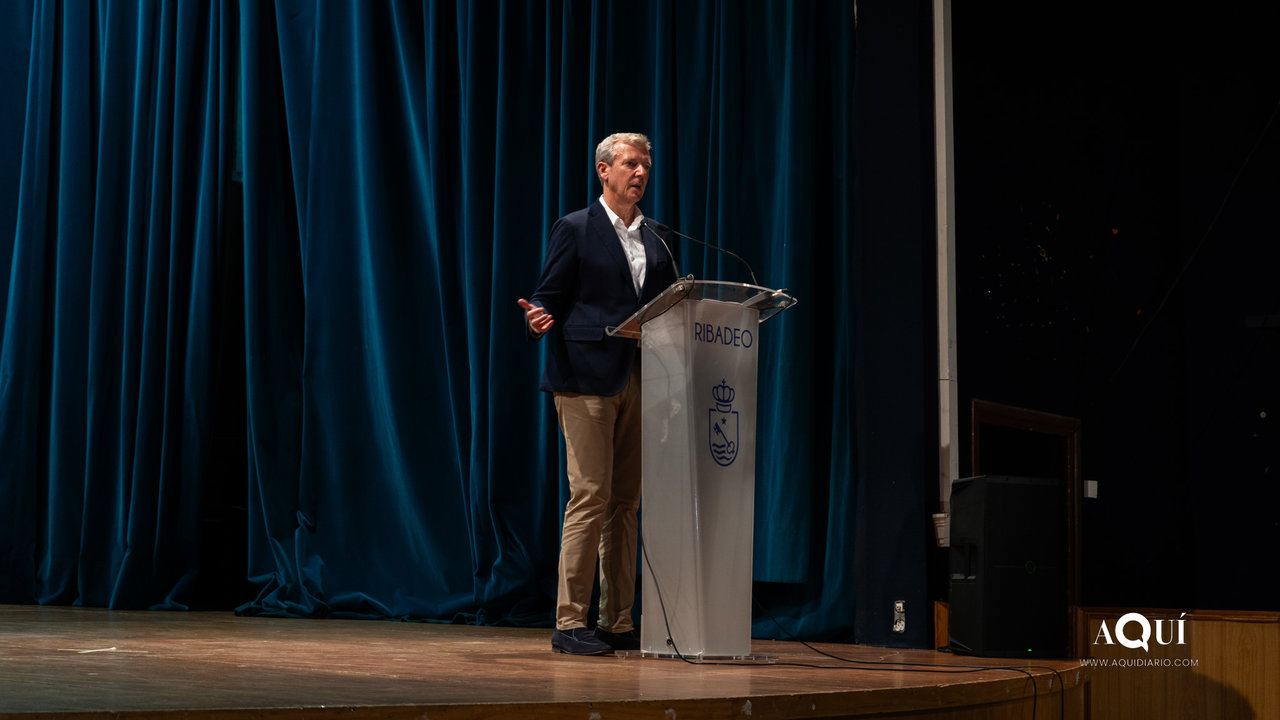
(403, 165)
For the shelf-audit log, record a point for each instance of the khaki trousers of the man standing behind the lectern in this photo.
(602, 440)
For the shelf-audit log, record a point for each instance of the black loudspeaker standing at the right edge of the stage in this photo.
(1008, 590)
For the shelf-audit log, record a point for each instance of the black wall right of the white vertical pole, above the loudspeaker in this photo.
(1117, 202)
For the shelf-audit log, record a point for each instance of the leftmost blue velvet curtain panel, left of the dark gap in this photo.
(113, 140)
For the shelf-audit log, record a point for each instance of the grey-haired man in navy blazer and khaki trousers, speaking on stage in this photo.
(602, 266)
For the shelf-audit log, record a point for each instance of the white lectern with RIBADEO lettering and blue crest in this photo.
(700, 344)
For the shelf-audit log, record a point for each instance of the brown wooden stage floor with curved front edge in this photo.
(65, 663)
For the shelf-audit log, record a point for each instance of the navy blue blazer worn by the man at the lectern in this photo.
(587, 286)
